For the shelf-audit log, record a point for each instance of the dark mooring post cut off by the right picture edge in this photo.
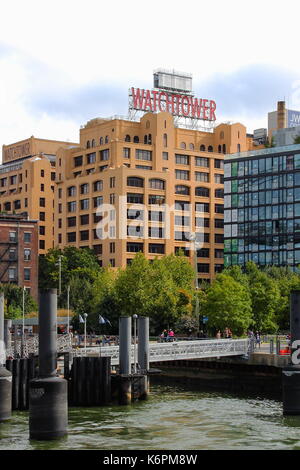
(291, 373)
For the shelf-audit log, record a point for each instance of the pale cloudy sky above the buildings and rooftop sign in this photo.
(65, 62)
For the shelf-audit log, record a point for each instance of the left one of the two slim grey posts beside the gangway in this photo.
(125, 360)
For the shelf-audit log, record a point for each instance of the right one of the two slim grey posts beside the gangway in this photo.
(143, 354)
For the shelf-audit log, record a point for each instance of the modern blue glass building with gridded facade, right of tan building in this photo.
(262, 207)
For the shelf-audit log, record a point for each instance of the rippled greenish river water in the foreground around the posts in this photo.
(173, 418)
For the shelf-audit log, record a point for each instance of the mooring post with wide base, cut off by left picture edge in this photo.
(5, 375)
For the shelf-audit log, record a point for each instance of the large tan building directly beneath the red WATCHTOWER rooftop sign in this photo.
(150, 185)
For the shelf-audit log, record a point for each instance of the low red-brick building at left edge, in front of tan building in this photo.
(19, 252)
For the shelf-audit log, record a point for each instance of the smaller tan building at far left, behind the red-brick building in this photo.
(27, 181)
